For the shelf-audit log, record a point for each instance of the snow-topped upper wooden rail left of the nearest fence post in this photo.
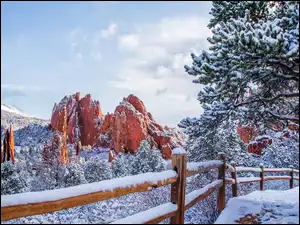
(34, 203)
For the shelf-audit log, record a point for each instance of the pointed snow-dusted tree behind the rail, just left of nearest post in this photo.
(147, 160)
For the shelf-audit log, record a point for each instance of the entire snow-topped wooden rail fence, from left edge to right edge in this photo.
(179, 201)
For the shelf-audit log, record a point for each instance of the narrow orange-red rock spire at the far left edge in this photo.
(8, 148)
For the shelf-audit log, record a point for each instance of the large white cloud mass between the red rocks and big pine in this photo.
(158, 53)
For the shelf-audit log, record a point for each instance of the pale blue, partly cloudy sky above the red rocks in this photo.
(108, 49)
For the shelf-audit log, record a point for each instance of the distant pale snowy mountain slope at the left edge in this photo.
(12, 115)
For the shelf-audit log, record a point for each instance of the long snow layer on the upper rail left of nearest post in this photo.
(105, 185)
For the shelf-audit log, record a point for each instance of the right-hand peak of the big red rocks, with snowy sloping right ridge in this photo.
(131, 123)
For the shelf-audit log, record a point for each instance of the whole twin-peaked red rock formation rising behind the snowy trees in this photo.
(122, 130)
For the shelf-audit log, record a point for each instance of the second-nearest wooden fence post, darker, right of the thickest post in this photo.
(221, 194)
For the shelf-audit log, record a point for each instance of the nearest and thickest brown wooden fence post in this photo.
(178, 188)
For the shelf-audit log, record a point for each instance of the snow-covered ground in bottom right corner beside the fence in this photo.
(265, 207)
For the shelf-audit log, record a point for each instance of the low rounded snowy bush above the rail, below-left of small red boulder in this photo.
(96, 169)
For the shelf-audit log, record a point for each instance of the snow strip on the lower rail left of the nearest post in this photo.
(143, 217)
